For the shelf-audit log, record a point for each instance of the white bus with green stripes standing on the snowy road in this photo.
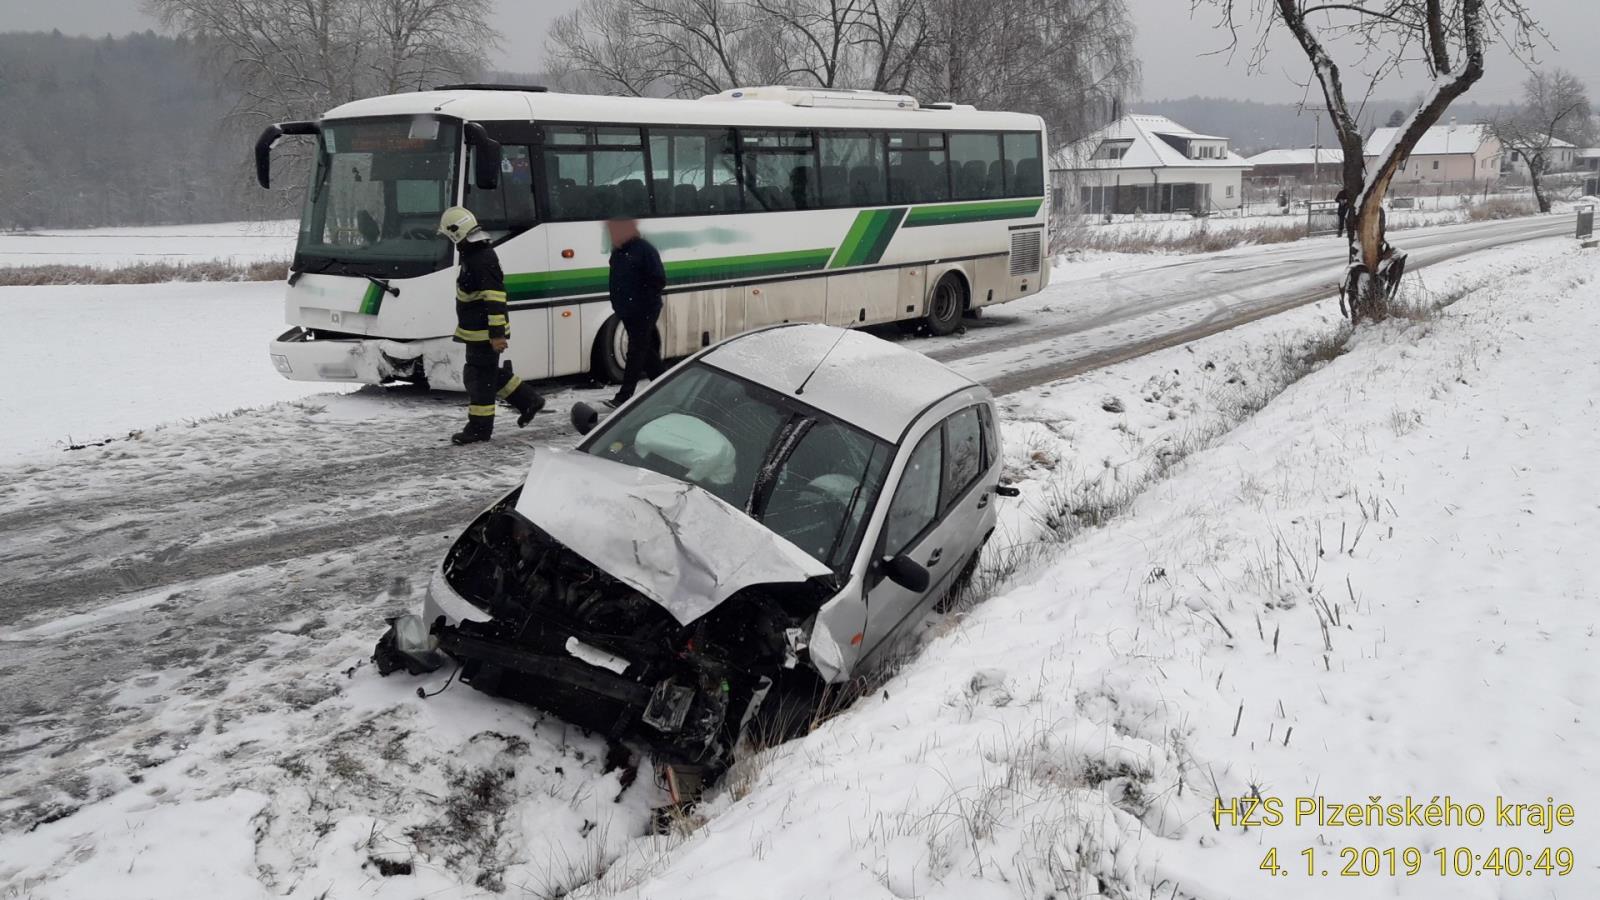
(767, 206)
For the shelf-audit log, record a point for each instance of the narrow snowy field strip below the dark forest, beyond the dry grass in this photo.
(111, 247)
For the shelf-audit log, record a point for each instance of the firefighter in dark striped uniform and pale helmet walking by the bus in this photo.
(484, 327)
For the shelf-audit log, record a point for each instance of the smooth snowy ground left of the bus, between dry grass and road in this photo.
(127, 358)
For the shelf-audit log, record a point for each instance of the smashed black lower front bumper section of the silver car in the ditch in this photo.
(679, 712)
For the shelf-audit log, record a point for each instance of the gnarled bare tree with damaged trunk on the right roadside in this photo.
(1444, 38)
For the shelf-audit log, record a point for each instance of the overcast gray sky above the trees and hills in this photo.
(1172, 46)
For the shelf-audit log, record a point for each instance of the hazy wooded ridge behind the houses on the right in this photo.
(1255, 127)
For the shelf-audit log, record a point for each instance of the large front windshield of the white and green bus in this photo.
(377, 195)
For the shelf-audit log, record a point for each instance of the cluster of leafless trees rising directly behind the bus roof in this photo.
(1065, 60)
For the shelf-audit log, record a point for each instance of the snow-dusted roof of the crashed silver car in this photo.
(871, 384)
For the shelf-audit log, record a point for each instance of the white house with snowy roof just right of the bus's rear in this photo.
(1148, 164)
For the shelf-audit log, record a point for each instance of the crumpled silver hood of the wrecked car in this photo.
(673, 542)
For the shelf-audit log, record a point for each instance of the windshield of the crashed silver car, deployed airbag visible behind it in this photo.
(806, 476)
